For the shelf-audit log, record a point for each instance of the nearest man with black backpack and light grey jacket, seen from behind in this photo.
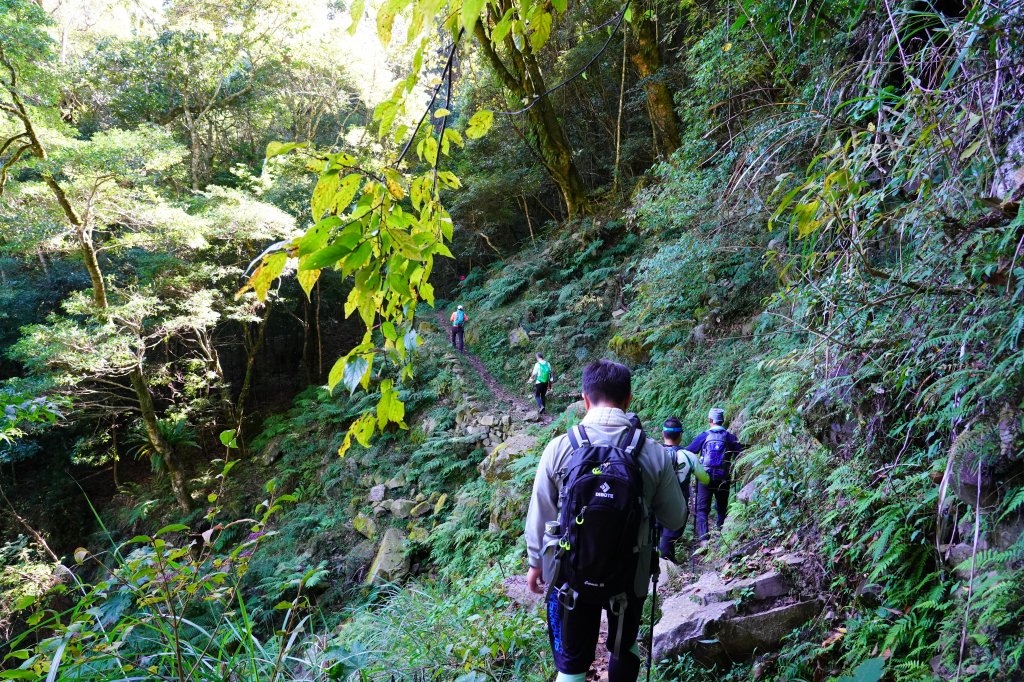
(590, 528)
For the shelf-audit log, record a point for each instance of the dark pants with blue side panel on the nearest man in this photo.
(574, 636)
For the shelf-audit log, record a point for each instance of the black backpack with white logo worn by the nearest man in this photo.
(603, 514)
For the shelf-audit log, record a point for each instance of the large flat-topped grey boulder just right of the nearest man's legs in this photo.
(730, 620)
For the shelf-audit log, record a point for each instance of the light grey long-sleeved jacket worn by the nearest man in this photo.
(661, 489)
